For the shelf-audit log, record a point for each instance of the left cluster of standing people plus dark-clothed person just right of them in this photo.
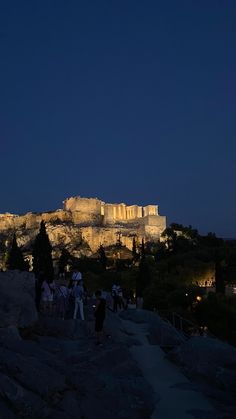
(62, 299)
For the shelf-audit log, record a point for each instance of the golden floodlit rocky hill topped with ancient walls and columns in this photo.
(85, 223)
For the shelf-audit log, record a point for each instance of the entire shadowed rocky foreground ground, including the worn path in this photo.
(53, 369)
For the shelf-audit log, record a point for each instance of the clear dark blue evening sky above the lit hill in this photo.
(128, 101)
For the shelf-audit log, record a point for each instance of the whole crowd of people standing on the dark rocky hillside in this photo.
(66, 299)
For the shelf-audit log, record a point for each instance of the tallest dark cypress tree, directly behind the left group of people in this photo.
(42, 254)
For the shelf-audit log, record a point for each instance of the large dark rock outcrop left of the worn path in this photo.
(59, 372)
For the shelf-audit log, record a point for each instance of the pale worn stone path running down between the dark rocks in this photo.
(174, 397)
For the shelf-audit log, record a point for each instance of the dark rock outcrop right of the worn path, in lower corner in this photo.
(211, 364)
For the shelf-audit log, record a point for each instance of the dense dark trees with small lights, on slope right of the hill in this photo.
(175, 274)
